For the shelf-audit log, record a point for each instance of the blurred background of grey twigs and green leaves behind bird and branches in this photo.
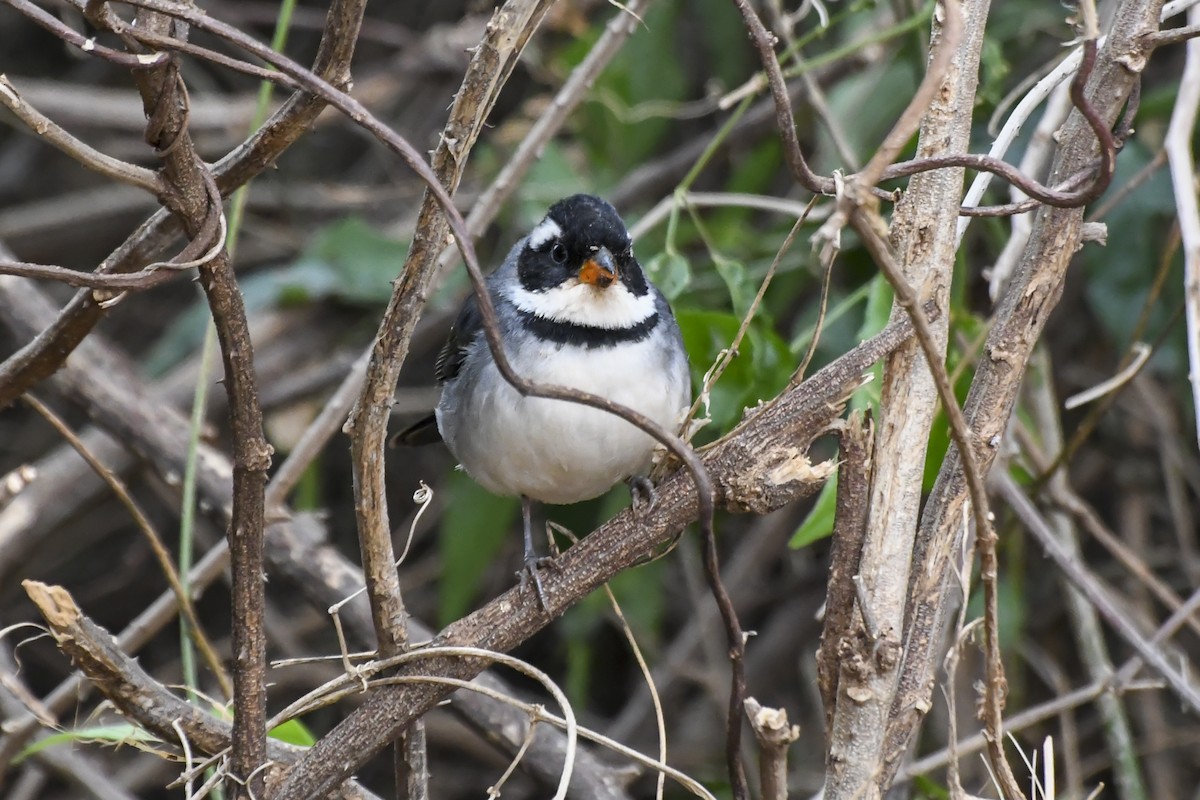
(669, 137)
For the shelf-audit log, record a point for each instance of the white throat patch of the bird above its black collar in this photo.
(580, 304)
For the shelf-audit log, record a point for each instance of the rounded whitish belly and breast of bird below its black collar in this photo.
(561, 453)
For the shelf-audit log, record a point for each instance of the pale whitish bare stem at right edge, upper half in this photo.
(1179, 154)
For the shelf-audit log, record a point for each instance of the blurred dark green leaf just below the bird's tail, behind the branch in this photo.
(475, 530)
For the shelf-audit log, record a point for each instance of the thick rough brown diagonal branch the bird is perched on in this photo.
(760, 467)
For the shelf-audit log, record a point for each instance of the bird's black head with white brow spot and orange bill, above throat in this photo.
(585, 239)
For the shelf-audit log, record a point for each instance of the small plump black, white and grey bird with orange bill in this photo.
(577, 310)
